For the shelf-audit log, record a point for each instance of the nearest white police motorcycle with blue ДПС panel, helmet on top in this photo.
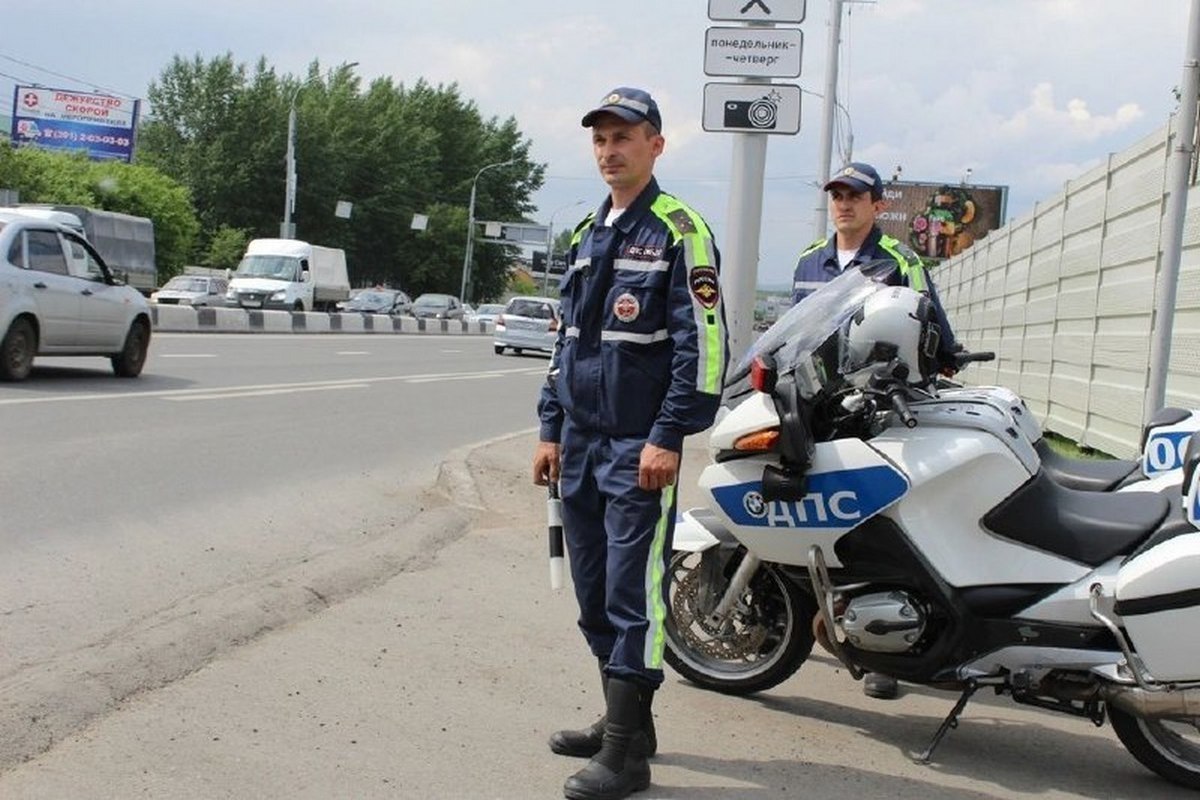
(914, 534)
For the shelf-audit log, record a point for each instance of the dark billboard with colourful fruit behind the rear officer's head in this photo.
(941, 220)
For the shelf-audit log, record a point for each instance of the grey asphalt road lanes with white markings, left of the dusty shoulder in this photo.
(151, 524)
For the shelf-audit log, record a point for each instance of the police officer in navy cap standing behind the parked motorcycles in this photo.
(856, 199)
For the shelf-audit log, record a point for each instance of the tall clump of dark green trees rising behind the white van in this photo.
(393, 152)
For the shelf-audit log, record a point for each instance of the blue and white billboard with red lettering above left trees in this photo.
(59, 119)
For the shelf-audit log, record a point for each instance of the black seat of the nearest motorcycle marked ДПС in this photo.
(1085, 527)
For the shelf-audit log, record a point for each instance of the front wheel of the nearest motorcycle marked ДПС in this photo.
(761, 643)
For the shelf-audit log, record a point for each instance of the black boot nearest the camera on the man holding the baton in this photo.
(620, 769)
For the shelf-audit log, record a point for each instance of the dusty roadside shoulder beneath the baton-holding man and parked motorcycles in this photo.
(447, 679)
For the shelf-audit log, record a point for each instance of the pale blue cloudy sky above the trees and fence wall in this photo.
(1025, 94)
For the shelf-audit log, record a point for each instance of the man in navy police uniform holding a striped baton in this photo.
(639, 365)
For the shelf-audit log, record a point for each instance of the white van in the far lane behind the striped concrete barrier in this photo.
(291, 275)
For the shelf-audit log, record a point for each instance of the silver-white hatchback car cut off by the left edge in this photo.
(59, 298)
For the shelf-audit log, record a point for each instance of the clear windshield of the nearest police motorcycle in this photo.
(819, 316)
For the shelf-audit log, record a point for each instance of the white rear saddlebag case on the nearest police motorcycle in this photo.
(1159, 599)
